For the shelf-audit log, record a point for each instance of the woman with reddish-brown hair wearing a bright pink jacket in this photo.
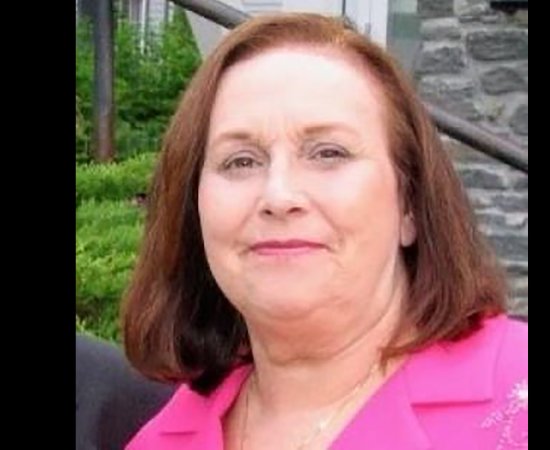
(311, 271)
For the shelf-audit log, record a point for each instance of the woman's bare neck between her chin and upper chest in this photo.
(299, 371)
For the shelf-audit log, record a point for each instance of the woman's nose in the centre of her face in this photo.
(282, 195)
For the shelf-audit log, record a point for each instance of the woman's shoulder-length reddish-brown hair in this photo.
(177, 323)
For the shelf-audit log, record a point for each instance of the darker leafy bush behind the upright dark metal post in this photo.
(149, 80)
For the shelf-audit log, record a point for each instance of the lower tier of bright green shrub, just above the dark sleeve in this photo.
(108, 234)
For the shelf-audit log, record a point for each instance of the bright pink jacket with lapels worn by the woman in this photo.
(468, 395)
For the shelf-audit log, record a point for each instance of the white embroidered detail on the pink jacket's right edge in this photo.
(517, 401)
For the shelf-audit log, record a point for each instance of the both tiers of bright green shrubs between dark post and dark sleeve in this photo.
(109, 226)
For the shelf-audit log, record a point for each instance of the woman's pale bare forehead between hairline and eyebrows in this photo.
(307, 82)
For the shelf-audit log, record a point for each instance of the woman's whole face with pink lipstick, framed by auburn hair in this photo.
(298, 198)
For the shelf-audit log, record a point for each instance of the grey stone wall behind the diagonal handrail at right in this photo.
(474, 63)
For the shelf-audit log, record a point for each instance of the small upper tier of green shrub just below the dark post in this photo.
(116, 181)
